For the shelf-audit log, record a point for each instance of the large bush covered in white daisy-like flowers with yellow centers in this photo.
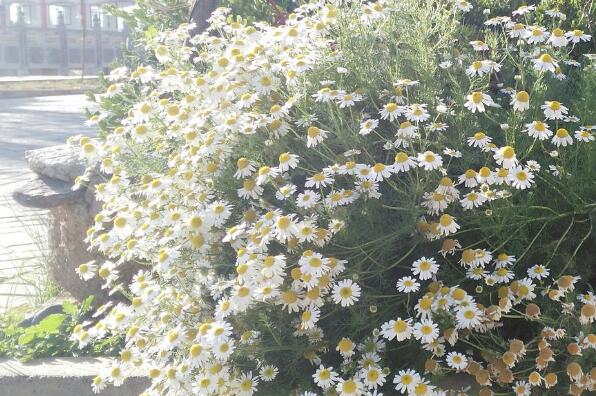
(364, 200)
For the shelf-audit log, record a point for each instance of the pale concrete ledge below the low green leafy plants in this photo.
(61, 377)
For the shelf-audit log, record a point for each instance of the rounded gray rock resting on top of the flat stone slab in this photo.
(60, 162)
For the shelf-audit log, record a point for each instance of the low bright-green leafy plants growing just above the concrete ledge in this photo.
(52, 335)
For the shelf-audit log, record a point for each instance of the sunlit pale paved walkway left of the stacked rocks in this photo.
(28, 123)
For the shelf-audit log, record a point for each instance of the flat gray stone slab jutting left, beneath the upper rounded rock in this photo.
(45, 192)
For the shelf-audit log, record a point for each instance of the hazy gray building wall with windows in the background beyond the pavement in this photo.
(56, 37)
